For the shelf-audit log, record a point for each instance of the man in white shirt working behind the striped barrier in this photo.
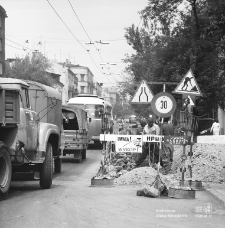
(150, 129)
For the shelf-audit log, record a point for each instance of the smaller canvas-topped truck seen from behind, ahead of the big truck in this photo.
(74, 133)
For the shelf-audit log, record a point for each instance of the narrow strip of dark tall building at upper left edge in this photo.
(2, 41)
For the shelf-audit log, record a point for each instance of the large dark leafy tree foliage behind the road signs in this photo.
(178, 35)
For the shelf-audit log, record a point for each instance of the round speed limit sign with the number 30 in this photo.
(163, 104)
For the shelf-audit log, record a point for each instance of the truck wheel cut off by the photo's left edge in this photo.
(5, 170)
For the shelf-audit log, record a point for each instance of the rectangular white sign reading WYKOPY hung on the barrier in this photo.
(129, 143)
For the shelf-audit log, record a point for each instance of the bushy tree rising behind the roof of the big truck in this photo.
(30, 69)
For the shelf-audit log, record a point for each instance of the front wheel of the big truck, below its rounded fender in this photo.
(47, 169)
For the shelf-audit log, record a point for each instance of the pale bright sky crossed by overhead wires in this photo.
(105, 20)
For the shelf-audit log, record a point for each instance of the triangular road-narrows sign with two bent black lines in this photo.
(143, 94)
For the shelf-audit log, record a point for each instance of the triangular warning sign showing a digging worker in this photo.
(188, 85)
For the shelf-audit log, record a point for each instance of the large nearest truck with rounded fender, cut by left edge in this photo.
(30, 122)
